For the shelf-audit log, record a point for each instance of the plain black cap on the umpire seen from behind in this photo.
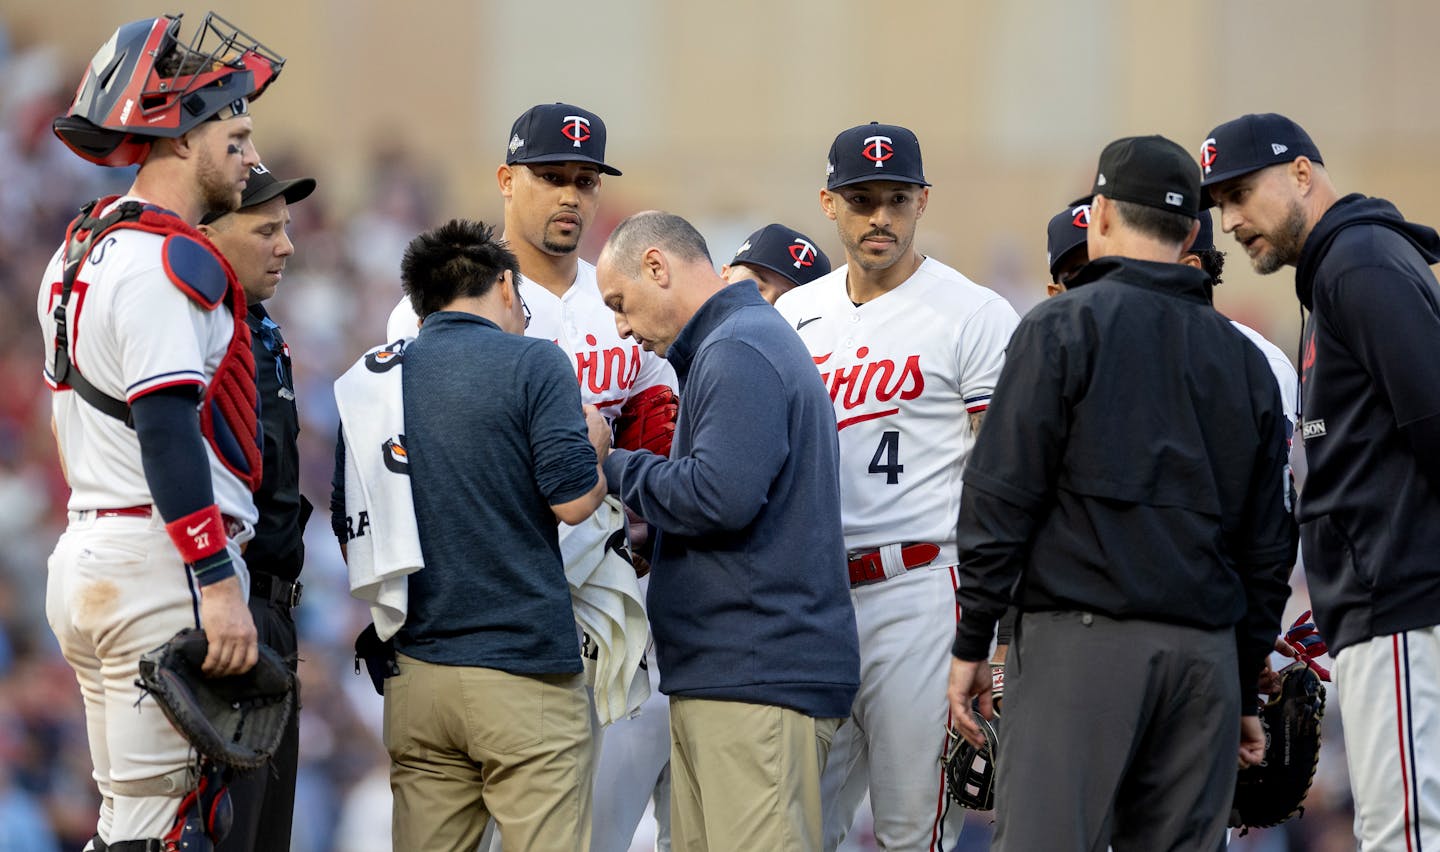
(1153, 172)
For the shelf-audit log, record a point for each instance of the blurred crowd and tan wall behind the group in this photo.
(721, 114)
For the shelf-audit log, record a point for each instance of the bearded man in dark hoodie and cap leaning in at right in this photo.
(1370, 512)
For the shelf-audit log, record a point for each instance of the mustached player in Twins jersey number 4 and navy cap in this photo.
(911, 352)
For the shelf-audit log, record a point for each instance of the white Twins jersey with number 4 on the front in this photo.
(904, 371)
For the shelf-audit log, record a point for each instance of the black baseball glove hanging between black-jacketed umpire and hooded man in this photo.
(1274, 792)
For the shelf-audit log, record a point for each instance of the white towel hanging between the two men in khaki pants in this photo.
(611, 611)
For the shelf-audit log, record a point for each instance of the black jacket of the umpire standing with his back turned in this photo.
(1134, 464)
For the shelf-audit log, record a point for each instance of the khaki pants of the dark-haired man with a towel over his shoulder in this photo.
(469, 745)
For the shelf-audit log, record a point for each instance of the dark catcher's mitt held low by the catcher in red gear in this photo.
(238, 720)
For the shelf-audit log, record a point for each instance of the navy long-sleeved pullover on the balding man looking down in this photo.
(750, 598)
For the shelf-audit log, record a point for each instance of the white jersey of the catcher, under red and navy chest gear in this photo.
(132, 332)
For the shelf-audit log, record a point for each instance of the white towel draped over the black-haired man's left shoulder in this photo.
(378, 483)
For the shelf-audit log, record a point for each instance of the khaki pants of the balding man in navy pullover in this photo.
(745, 776)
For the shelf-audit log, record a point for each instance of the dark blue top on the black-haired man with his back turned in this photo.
(496, 437)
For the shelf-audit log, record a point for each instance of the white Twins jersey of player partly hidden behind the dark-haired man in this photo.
(608, 368)
